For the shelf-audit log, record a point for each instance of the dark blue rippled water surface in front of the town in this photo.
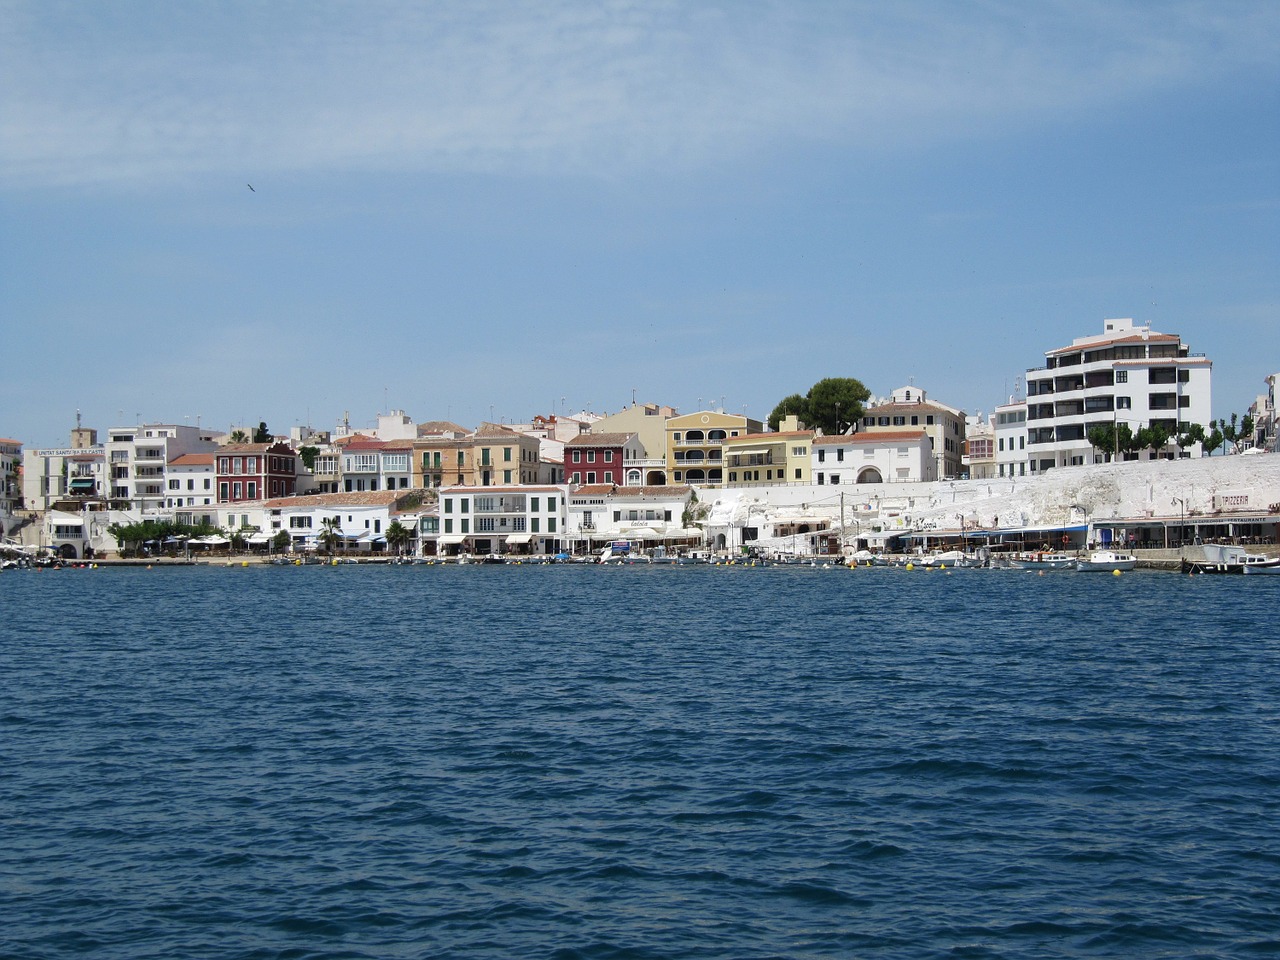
(570, 762)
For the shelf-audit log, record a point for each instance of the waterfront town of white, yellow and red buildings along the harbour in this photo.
(902, 474)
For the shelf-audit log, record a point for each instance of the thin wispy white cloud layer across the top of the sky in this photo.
(120, 93)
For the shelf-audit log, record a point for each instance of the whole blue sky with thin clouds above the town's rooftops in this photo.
(491, 211)
